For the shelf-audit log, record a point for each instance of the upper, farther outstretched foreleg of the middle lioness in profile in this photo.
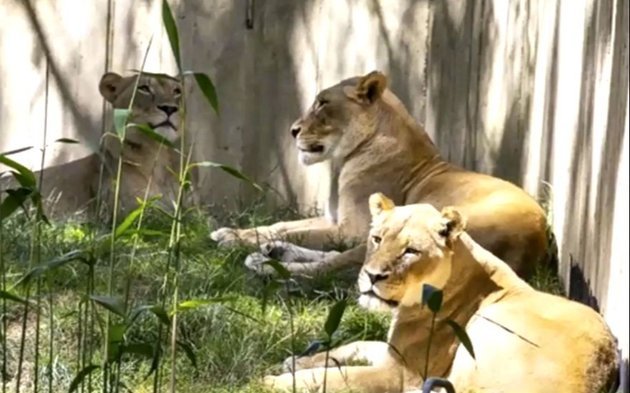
(278, 231)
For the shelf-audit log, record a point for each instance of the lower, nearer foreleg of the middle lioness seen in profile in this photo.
(323, 262)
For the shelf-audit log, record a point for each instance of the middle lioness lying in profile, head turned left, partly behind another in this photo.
(376, 146)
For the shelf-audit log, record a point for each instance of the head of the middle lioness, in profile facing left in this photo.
(341, 117)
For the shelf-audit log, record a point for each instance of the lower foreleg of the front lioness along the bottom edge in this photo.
(367, 379)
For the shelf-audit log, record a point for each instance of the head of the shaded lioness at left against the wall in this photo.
(156, 103)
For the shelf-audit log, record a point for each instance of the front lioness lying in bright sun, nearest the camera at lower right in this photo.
(523, 340)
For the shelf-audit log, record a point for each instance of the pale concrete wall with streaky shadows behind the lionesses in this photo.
(535, 91)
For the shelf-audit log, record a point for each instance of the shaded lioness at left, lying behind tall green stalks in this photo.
(74, 186)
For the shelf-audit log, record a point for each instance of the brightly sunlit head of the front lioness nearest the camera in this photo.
(408, 246)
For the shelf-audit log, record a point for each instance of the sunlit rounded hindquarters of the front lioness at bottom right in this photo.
(521, 347)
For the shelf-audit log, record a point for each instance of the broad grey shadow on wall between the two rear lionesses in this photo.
(255, 76)
